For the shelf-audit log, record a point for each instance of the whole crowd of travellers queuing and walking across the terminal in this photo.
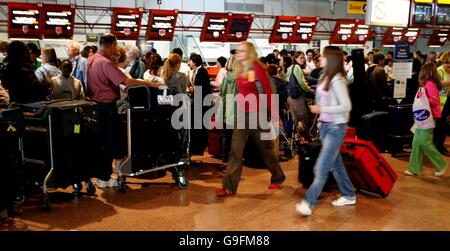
(309, 84)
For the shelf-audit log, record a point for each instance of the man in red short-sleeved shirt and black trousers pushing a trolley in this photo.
(104, 78)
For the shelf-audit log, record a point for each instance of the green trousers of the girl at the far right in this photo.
(423, 145)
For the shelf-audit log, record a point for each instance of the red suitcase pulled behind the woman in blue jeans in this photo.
(366, 168)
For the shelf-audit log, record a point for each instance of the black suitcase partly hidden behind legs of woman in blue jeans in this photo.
(308, 154)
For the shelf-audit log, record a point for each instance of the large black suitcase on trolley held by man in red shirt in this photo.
(154, 141)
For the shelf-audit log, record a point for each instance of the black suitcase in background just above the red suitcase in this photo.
(374, 127)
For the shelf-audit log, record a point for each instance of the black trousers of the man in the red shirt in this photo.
(110, 125)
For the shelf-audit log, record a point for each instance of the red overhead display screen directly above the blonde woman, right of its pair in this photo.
(239, 27)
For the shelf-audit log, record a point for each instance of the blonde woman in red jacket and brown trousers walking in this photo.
(252, 80)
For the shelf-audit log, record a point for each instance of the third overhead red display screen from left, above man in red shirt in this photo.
(126, 23)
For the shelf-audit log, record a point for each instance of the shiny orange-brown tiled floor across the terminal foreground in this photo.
(416, 203)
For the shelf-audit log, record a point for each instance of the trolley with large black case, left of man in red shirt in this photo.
(59, 137)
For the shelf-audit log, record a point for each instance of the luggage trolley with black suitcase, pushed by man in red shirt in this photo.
(153, 143)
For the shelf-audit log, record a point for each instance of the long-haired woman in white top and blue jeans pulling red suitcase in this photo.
(333, 106)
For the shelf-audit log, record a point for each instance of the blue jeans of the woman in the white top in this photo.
(330, 160)
